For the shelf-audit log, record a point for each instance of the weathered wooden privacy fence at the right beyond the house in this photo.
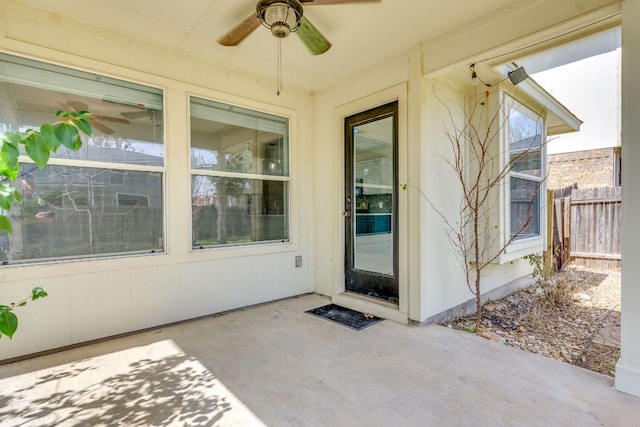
(587, 227)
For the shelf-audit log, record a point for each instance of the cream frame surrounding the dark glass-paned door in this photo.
(399, 312)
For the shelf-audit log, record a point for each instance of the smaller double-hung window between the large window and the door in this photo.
(239, 175)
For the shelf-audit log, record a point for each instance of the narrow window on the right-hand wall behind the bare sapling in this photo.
(525, 134)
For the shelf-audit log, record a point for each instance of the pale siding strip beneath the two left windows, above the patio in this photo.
(87, 306)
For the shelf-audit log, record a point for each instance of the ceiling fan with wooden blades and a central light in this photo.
(283, 17)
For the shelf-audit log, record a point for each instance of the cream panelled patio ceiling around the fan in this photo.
(362, 34)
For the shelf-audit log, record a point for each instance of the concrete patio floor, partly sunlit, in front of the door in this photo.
(275, 365)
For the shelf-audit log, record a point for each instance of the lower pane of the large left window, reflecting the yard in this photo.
(70, 212)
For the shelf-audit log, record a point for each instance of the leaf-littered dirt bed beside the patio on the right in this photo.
(574, 318)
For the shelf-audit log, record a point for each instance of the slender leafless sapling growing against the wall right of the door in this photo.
(481, 169)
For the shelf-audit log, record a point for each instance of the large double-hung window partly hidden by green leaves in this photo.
(105, 199)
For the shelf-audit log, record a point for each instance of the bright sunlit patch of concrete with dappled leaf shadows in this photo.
(161, 389)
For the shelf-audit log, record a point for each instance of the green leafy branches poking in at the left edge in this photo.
(38, 145)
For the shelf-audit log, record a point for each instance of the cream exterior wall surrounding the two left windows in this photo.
(93, 299)
